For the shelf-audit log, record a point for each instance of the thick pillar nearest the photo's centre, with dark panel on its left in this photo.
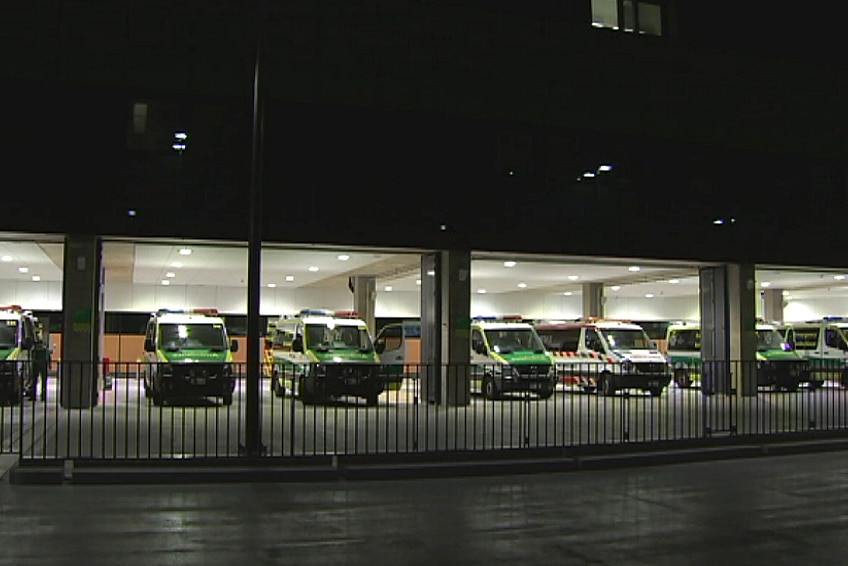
(446, 326)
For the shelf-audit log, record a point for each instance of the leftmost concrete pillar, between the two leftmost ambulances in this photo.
(82, 303)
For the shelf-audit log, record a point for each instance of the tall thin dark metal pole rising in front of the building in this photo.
(253, 417)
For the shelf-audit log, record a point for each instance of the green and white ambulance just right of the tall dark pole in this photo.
(319, 355)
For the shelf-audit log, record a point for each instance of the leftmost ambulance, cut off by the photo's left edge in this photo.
(17, 338)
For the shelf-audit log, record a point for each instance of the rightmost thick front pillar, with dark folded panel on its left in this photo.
(728, 329)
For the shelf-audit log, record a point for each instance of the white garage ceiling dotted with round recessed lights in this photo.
(223, 264)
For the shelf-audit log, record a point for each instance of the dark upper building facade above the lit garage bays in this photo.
(436, 124)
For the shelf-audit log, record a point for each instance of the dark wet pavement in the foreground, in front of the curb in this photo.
(768, 510)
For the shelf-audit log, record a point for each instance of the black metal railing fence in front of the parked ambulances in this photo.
(107, 413)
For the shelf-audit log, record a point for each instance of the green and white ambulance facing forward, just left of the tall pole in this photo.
(187, 354)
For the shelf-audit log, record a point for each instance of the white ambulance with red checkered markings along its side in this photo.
(606, 355)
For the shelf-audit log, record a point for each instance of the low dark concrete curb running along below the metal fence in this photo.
(396, 467)
